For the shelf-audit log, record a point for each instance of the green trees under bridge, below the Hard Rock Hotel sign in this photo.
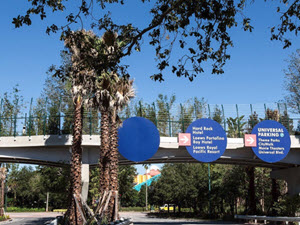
(180, 184)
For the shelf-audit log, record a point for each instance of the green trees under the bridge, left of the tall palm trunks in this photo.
(28, 186)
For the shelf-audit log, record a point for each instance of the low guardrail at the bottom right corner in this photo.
(268, 218)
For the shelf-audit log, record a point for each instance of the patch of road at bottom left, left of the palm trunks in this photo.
(39, 218)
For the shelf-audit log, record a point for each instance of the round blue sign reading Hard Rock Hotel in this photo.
(208, 140)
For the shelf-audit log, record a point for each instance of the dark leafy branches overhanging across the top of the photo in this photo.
(200, 28)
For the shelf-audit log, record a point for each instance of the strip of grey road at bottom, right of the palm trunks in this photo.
(140, 218)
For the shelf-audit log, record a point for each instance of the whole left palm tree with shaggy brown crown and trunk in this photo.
(82, 76)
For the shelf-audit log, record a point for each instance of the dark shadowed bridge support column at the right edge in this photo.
(291, 176)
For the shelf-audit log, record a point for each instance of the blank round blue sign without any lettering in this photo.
(138, 139)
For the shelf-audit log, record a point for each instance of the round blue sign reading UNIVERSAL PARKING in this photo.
(273, 141)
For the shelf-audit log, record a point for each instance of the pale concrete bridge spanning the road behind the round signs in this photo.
(55, 150)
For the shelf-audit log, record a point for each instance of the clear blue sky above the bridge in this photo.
(254, 74)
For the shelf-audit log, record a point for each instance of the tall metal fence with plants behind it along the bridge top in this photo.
(236, 119)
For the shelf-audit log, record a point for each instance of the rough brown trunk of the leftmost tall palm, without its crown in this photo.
(75, 175)
